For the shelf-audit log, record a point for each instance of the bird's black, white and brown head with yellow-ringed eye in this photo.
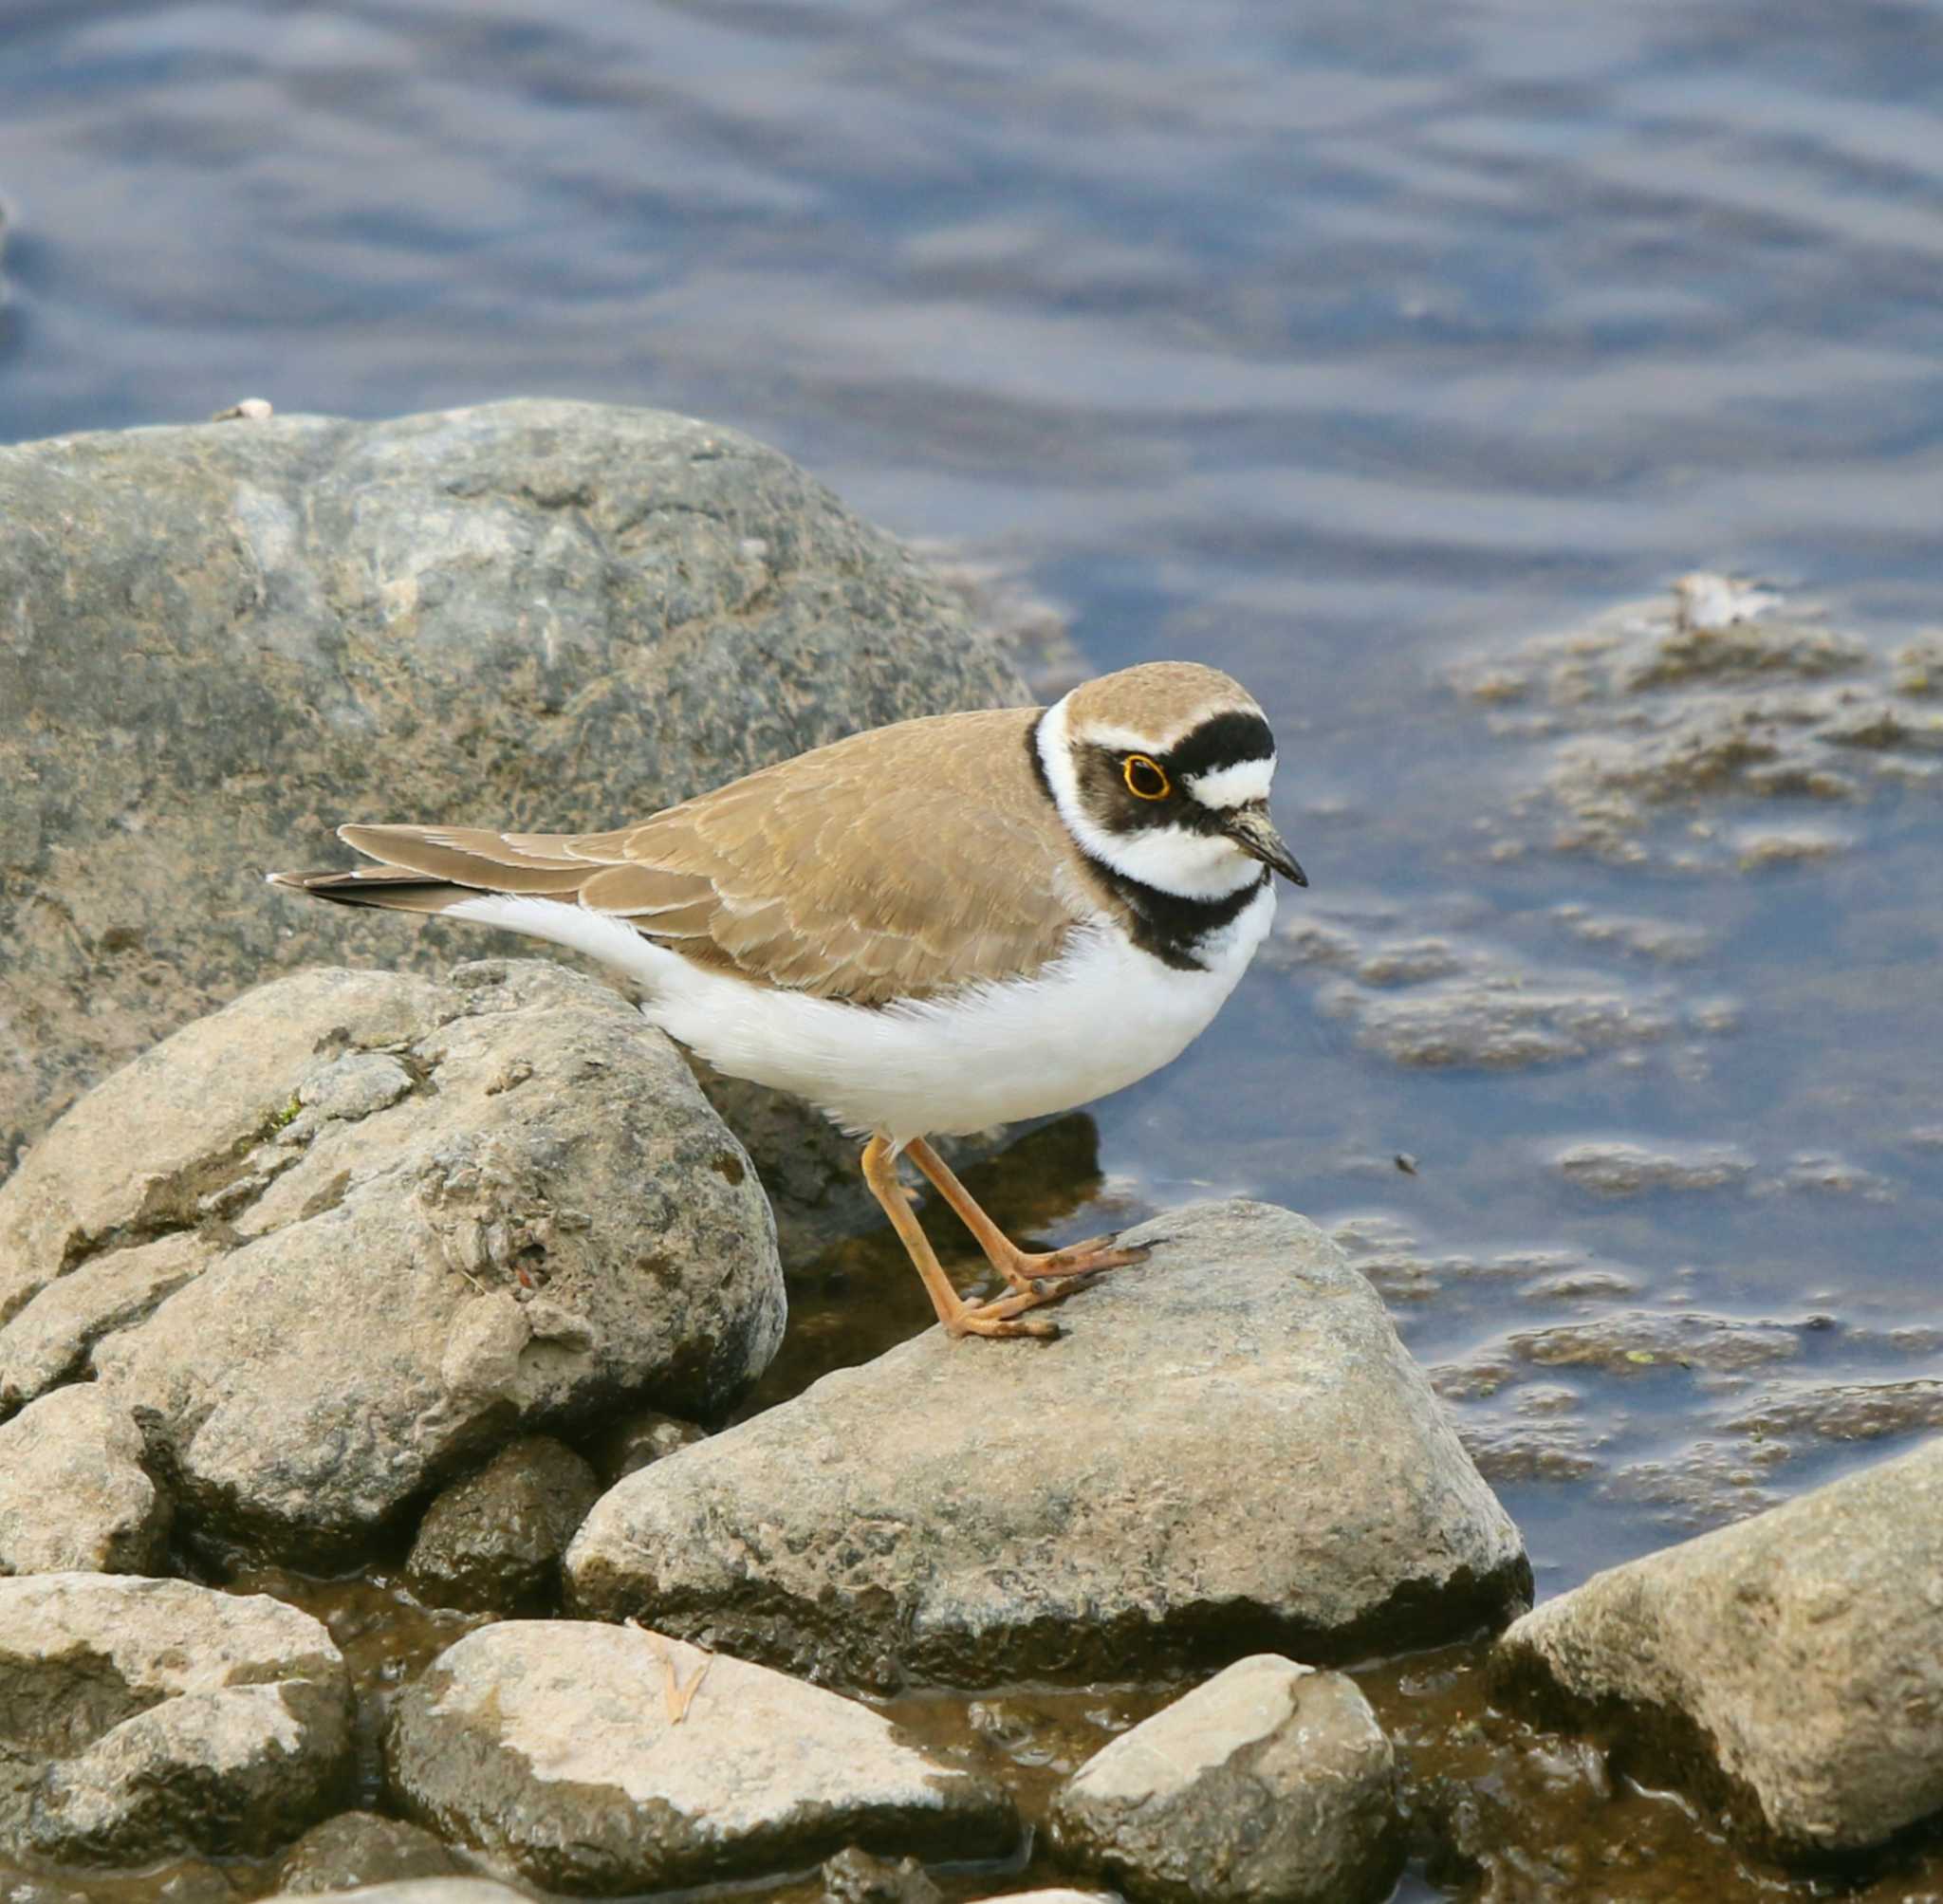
(1163, 774)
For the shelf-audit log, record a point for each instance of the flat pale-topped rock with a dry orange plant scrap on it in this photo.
(555, 1748)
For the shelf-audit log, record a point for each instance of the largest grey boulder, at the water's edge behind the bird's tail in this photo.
(222, 640)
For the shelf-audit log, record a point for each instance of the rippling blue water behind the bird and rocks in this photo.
(1340, 347)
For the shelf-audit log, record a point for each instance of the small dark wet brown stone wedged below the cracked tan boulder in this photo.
(494, 1540)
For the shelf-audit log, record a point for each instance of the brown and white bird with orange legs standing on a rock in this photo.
(924, 930)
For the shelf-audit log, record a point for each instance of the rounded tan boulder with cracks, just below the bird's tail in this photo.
(436, 1215)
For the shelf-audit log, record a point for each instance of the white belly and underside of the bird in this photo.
(1099, 1019)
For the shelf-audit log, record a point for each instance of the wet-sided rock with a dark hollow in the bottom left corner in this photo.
(151, 1717)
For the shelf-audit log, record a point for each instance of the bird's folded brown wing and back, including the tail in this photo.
(897, 864)
